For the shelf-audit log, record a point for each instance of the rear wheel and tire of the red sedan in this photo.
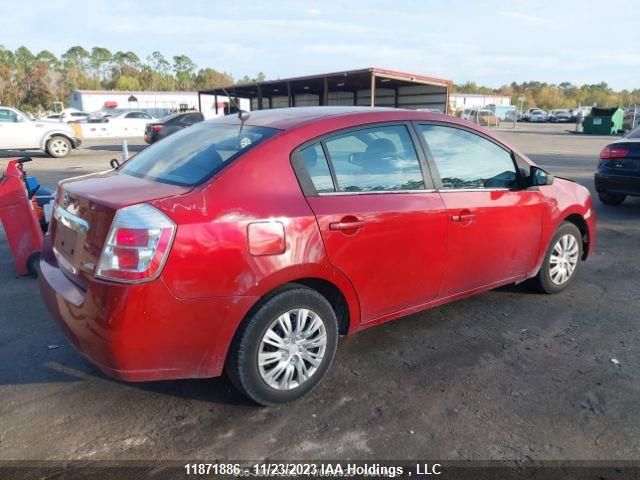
(285, 348)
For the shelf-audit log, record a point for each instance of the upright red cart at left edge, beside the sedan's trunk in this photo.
(19, 218)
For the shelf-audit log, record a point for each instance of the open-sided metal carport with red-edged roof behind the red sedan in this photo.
(365, 87)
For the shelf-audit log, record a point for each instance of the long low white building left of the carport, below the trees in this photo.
(157, 104)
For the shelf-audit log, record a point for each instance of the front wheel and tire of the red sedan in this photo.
(562, 260)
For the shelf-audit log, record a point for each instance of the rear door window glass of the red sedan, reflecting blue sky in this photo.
(375, 159)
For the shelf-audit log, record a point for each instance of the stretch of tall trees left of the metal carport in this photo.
(33, 81)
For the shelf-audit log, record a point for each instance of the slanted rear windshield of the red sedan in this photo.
(194, 154)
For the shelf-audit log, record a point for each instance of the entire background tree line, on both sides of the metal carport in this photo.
(33, 81)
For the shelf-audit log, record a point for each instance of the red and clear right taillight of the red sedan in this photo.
(137, 245)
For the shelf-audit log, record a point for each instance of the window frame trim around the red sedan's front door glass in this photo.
(435, 173)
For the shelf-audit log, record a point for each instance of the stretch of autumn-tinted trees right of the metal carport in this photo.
(564, 95)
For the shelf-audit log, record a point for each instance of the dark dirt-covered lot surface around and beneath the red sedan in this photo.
(509, 374)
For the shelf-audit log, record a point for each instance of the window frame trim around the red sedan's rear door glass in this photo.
(307, 186)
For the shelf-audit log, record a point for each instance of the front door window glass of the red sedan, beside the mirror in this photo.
(468, 161)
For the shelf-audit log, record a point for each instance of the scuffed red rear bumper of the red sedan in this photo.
(141, 332)
